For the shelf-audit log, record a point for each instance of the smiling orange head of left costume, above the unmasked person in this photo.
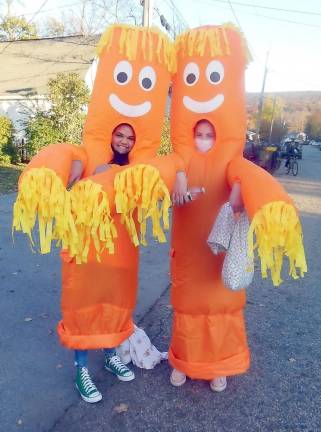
(131, 86)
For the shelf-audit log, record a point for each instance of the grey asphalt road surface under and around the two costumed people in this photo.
(281, 392)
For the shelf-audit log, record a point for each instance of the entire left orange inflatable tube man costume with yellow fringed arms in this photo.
(103, 219)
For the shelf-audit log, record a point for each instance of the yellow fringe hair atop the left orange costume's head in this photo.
(133, 40)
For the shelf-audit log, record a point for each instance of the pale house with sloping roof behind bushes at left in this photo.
(26, 66)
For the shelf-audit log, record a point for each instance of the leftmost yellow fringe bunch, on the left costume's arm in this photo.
(43, 196)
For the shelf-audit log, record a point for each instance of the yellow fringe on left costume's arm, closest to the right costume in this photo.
(140, 191)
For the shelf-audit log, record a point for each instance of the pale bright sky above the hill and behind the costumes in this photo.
(295, 47)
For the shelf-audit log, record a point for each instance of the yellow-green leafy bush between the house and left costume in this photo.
(63, 122)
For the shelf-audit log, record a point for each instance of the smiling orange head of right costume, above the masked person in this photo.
(209, 84)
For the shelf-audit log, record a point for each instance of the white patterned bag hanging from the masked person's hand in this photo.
(230, 234)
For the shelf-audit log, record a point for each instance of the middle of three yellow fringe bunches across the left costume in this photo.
(93, 221)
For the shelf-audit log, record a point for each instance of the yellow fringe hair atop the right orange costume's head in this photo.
(193, 42)
